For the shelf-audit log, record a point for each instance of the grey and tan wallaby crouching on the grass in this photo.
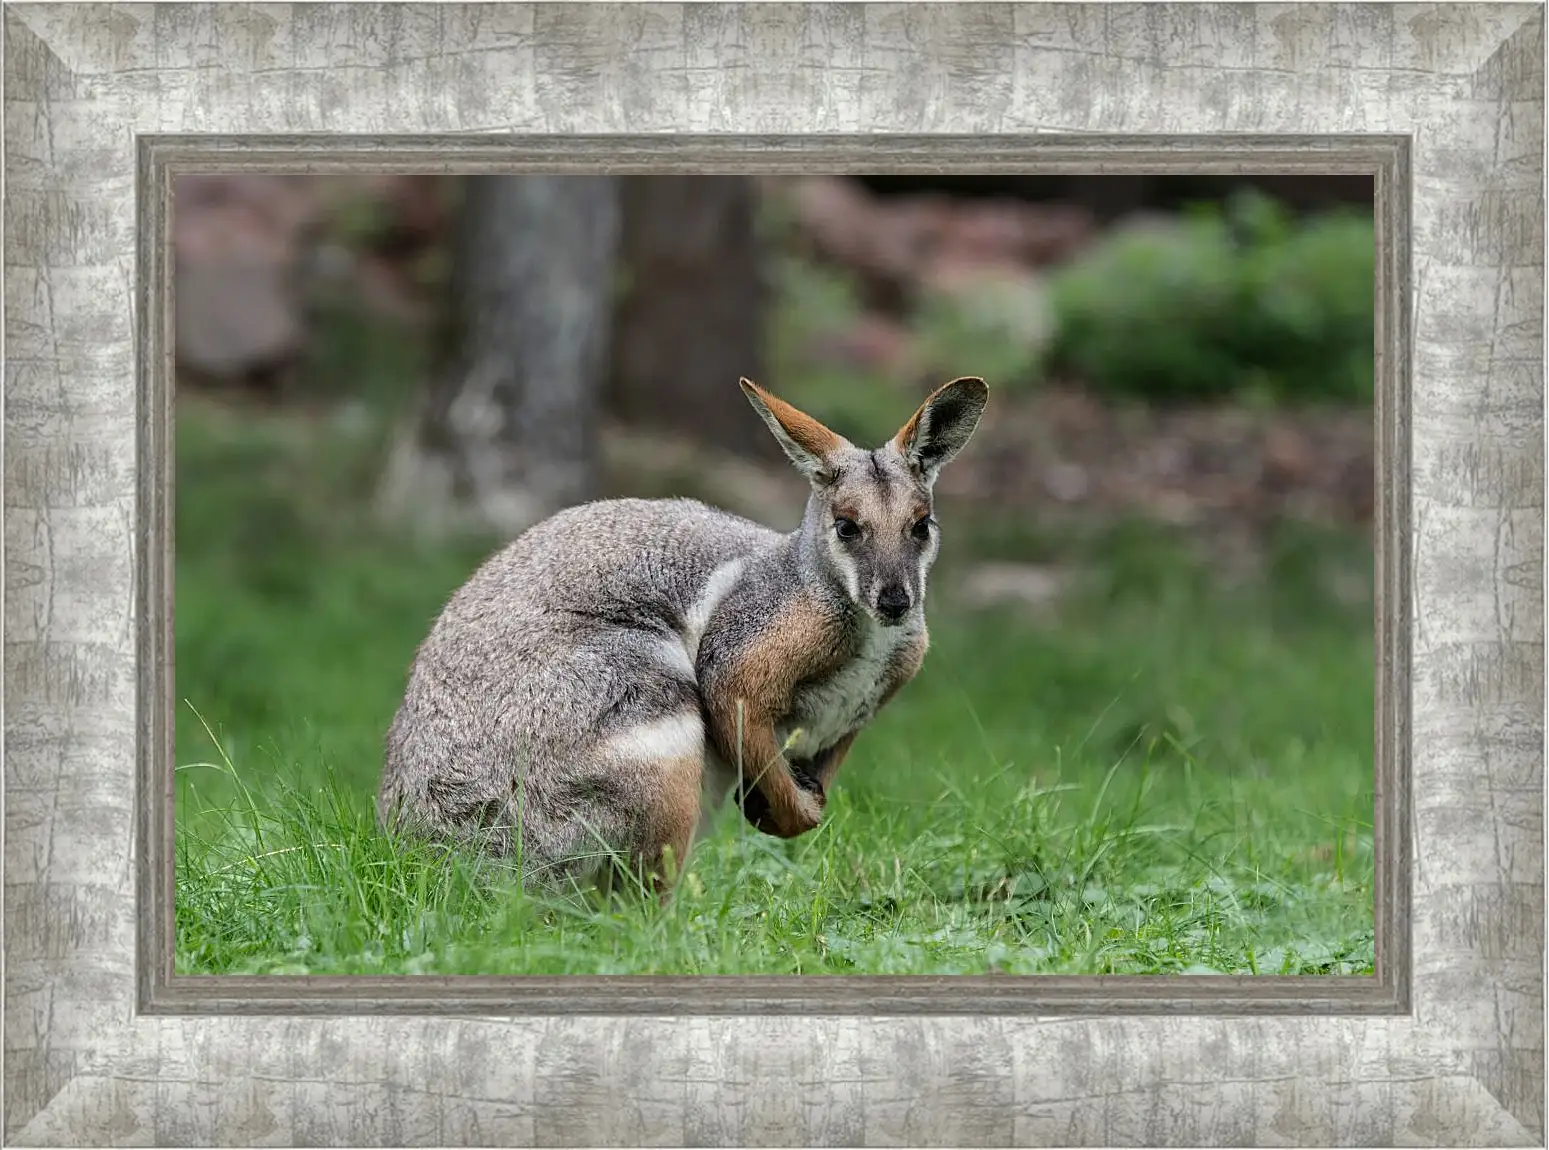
(602, 684)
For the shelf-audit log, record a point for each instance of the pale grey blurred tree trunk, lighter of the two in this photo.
(509, 430)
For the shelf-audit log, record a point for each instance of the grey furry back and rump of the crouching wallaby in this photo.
(575, 630)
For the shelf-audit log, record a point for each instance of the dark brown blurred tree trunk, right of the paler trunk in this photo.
(692, 318)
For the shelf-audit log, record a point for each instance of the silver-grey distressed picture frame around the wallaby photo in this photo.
(1443, 105)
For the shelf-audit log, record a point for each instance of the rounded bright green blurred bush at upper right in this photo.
(1224, 301)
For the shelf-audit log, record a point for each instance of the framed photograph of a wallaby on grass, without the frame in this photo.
(774, 576)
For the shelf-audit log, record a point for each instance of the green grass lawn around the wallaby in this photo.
(1159, 776)
